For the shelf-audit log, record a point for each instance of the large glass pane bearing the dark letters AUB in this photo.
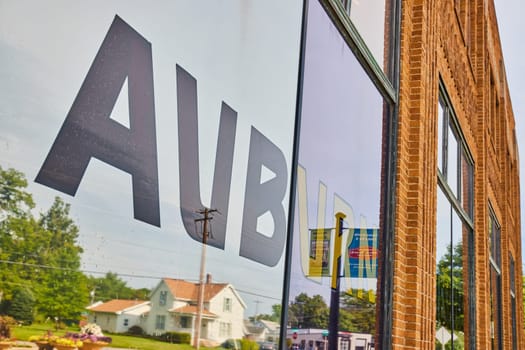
(122, 129)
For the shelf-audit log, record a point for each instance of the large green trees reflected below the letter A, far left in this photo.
(39, 254)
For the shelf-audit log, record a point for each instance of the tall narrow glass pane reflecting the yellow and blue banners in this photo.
(339, 171)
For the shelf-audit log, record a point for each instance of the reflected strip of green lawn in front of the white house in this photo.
(119, 340)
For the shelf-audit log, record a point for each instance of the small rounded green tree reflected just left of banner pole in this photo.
(308, 312)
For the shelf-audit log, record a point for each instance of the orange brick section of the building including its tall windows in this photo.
(457, 181)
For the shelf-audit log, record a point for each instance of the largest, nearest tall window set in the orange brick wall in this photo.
(454, 235)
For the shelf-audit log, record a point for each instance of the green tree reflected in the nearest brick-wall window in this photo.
(450, 289)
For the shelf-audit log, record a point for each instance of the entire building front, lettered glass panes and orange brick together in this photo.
(319, 155)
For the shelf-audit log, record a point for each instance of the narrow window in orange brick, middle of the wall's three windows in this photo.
(496, 332)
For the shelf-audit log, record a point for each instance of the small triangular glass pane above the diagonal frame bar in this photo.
(369, 19)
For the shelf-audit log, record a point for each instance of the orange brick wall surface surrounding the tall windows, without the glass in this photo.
(459, 46)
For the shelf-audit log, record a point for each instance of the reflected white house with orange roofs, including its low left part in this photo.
(173, 308)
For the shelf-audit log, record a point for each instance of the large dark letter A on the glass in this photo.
(88, 131)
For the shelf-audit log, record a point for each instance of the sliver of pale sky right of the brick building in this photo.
(510, 22)
